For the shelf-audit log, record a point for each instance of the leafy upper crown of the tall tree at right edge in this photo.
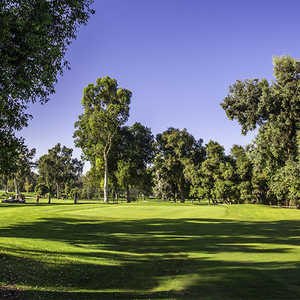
(275, 107)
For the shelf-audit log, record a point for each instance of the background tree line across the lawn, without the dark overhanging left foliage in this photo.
(174, 165)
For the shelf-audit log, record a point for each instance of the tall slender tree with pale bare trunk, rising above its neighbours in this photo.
(106, 109)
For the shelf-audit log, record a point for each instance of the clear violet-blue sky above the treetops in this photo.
(178, 57)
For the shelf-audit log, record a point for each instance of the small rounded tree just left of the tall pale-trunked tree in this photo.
(58, 168)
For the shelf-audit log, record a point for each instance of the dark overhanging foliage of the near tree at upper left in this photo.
(34, 37)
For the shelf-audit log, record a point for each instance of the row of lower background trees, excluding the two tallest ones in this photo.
(174, 166)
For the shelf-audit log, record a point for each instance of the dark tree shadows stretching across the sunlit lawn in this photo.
(135, 259)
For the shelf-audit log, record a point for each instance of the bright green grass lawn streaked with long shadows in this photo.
(148, 250)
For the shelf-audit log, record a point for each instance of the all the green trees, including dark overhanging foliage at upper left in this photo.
(34, 38)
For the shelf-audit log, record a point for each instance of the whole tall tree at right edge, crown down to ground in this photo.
(274, 107)
